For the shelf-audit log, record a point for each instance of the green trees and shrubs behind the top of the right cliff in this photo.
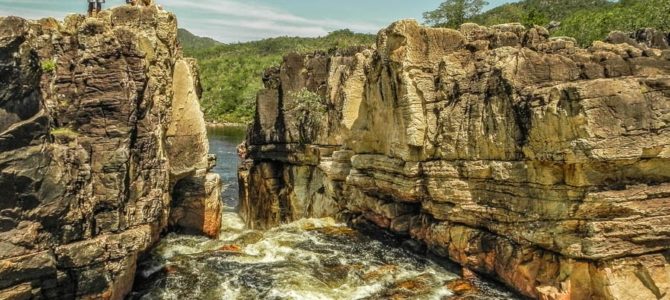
(585, 20)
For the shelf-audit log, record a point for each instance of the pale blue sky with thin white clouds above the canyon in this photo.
(245, 20)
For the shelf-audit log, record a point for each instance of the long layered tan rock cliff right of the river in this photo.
(514, 154)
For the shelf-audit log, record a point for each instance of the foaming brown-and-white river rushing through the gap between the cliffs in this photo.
(308, 259)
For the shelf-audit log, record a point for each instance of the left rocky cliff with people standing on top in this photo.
(99, 122)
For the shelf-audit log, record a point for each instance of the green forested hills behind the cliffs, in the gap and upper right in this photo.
(231, 73)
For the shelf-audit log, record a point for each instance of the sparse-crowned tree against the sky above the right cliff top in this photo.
(453, 13)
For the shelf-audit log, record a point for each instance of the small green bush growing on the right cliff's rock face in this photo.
(307, 113)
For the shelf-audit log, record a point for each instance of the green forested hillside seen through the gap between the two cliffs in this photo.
(232, 74)
